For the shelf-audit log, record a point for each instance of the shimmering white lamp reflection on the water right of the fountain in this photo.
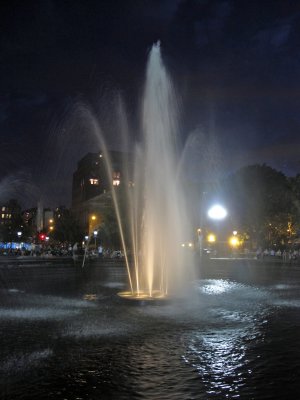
(220, 354)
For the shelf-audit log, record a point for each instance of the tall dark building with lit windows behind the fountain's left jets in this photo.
(91, 186)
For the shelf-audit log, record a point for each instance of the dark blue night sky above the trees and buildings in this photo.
(235, 65)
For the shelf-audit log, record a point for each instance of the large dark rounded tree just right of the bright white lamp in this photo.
(262, 202)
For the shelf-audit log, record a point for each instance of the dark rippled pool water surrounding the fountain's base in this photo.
(64, 334)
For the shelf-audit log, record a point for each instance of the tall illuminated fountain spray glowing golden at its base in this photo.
(157, 267)
